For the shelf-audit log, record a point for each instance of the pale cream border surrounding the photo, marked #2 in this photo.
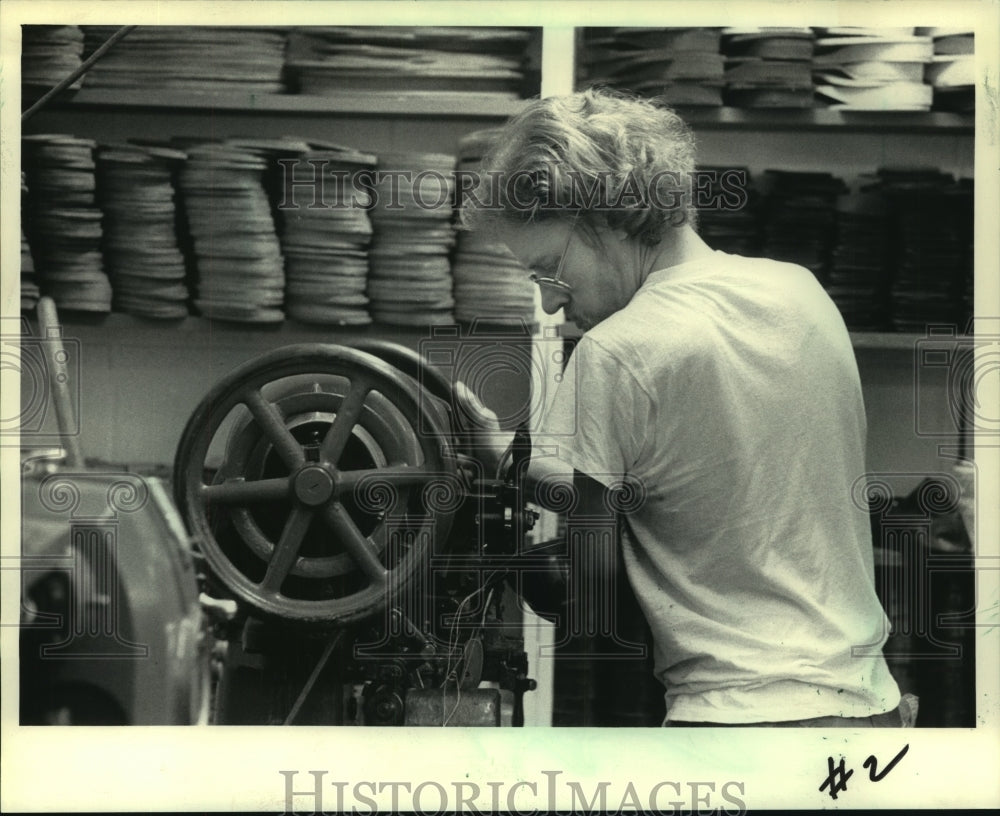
(227, 768)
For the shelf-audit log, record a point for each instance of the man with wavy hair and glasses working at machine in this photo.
(726, 389)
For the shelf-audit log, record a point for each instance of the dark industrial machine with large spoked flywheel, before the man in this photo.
(357, 560)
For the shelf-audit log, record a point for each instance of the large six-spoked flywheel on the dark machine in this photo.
(316, 480)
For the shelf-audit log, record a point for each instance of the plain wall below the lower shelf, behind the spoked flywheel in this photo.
(140, 380)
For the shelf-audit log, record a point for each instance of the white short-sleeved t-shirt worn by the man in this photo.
(728, 388)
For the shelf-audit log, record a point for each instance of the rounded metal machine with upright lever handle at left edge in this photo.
(111, 628)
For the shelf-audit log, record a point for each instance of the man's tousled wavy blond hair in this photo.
(598, 157)
